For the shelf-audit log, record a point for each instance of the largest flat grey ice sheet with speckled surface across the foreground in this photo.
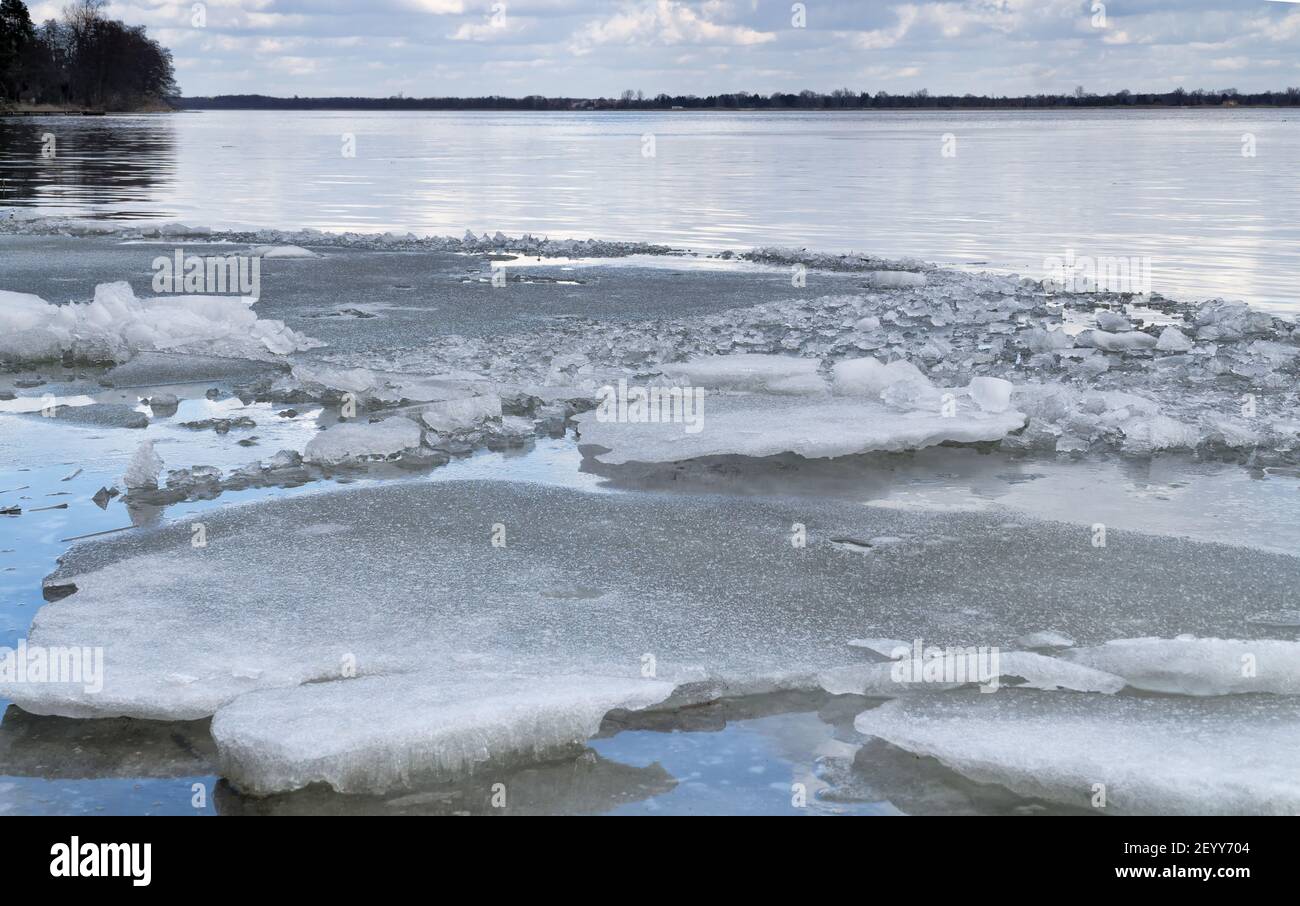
(408, 580)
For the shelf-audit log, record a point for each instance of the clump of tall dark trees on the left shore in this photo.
(83, 59)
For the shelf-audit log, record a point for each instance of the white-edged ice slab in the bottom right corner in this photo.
(1154, 756)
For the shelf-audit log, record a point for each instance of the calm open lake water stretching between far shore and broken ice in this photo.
(1024, 187)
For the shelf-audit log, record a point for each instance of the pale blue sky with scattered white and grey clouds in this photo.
(603, 47)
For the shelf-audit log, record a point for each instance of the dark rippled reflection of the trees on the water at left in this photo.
(109, 168)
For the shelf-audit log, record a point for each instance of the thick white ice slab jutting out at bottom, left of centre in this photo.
(372, 735)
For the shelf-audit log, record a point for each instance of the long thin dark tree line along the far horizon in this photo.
(840, 99)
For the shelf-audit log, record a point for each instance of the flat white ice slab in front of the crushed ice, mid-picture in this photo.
(762, 426)
